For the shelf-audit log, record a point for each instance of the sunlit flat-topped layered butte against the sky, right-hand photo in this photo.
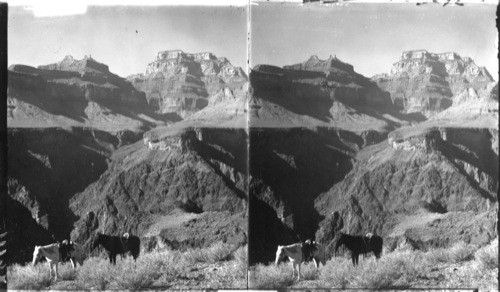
(428, 83)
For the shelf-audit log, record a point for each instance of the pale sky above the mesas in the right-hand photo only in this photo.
(372, 37)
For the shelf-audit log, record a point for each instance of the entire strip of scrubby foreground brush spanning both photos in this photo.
(224, 266)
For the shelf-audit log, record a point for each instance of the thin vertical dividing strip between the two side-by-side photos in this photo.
(247, 129)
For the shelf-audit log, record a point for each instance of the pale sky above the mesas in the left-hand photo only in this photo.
(127, 38)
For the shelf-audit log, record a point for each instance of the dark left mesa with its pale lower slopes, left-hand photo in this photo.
(76, 93)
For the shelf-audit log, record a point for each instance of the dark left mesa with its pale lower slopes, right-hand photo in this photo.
(317, 92)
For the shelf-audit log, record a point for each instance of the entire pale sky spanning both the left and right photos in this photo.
(371, 37)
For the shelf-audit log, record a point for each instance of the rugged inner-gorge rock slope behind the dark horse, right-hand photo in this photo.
(411, 187)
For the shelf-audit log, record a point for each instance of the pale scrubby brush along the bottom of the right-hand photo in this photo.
(461, 266)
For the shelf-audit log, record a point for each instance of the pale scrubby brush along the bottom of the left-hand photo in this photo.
(219, 266)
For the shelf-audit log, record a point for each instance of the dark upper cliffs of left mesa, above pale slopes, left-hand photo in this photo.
(72, 80)
